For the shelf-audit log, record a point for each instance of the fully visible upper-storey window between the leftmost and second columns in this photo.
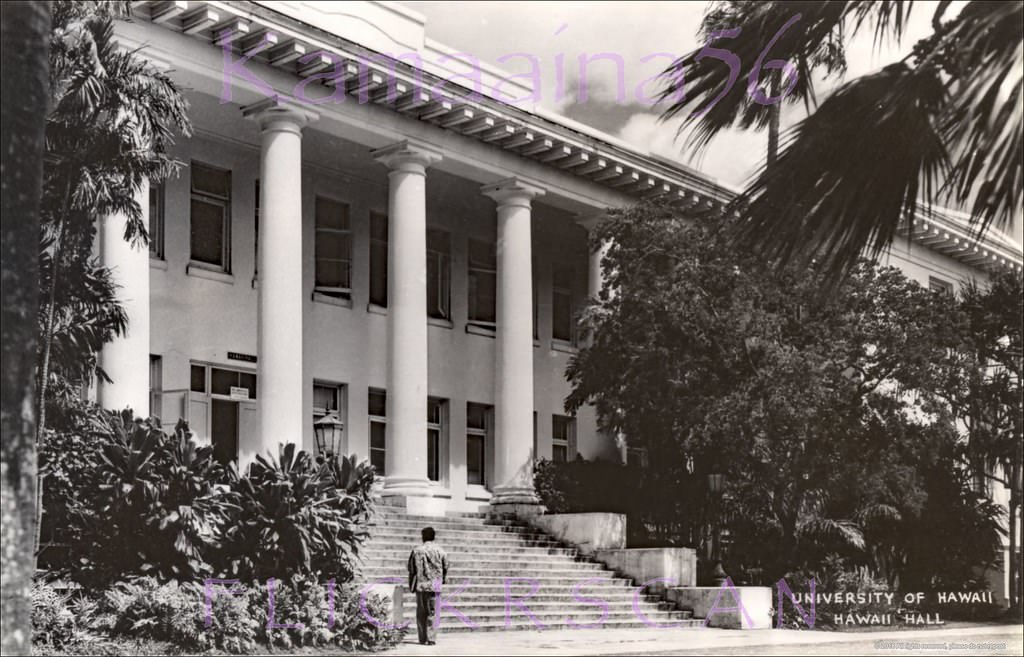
(211, 216)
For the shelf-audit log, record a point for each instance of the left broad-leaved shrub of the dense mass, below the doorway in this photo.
(139, 481)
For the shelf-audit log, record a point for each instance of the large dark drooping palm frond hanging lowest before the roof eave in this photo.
(848, 173)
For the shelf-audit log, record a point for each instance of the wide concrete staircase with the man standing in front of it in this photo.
(485, 552)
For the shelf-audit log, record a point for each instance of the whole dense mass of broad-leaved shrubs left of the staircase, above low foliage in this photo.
(118, 477)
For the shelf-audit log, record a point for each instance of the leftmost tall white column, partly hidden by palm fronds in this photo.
(126, 359)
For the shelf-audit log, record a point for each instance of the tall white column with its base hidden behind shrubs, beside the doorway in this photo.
(281, 380)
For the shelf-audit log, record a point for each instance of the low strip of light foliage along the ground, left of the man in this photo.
(147, 617)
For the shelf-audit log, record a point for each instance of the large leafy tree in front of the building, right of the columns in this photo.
(707, 358)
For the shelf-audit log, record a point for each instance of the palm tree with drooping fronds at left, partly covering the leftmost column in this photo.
(112, 124)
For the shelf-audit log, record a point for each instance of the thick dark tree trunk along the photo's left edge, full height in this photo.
(26, 32)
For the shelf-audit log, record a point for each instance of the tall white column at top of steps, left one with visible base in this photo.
(407, 318)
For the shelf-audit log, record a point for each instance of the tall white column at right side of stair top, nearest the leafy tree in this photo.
(515, 367)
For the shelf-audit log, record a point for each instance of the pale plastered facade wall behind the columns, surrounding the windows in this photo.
(199, 318)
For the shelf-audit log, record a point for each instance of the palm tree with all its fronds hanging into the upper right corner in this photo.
(944, 125)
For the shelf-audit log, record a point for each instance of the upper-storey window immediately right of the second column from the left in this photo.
(333, 249)
